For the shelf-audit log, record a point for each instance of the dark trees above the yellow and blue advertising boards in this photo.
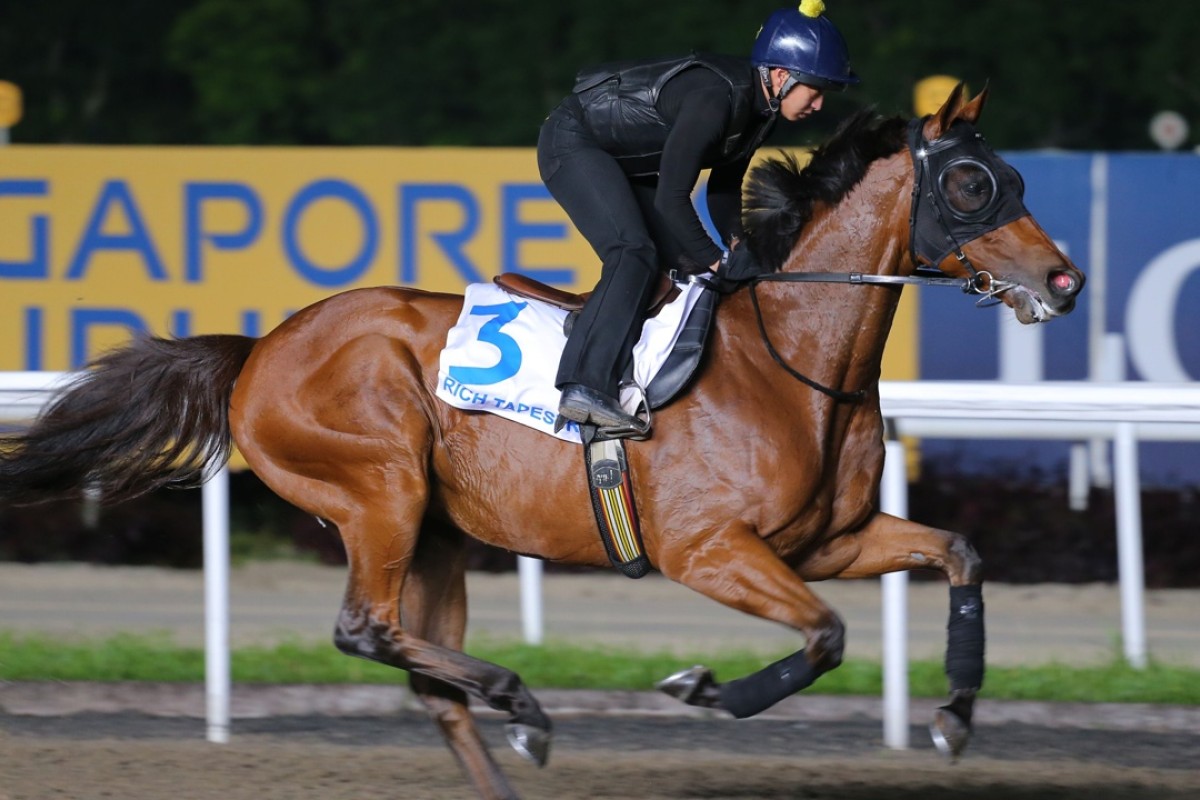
(1066, 74)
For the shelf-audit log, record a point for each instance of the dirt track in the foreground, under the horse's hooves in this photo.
(136, 757)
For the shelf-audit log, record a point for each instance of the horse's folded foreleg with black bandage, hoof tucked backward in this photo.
(741, 572)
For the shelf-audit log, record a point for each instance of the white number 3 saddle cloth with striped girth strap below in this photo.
(502, 356)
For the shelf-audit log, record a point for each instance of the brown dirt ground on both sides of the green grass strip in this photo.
(290, 755)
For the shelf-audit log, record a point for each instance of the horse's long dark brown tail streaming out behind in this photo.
(152, 414)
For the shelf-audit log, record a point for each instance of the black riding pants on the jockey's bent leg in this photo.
(609, 210)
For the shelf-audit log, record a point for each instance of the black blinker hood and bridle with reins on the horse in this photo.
(938, 226)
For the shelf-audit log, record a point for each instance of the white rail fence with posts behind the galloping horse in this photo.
(1124, 413)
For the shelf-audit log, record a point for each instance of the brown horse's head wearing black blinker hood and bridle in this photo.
(969, 218)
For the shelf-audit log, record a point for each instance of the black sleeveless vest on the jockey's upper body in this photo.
(620, 101)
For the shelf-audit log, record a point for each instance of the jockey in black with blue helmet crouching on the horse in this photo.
(622, 157)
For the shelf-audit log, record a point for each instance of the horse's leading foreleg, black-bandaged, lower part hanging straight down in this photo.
(889, 544)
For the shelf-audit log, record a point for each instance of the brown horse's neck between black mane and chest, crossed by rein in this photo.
(835, 333)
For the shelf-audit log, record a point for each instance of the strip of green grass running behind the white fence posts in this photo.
(559, 665)
